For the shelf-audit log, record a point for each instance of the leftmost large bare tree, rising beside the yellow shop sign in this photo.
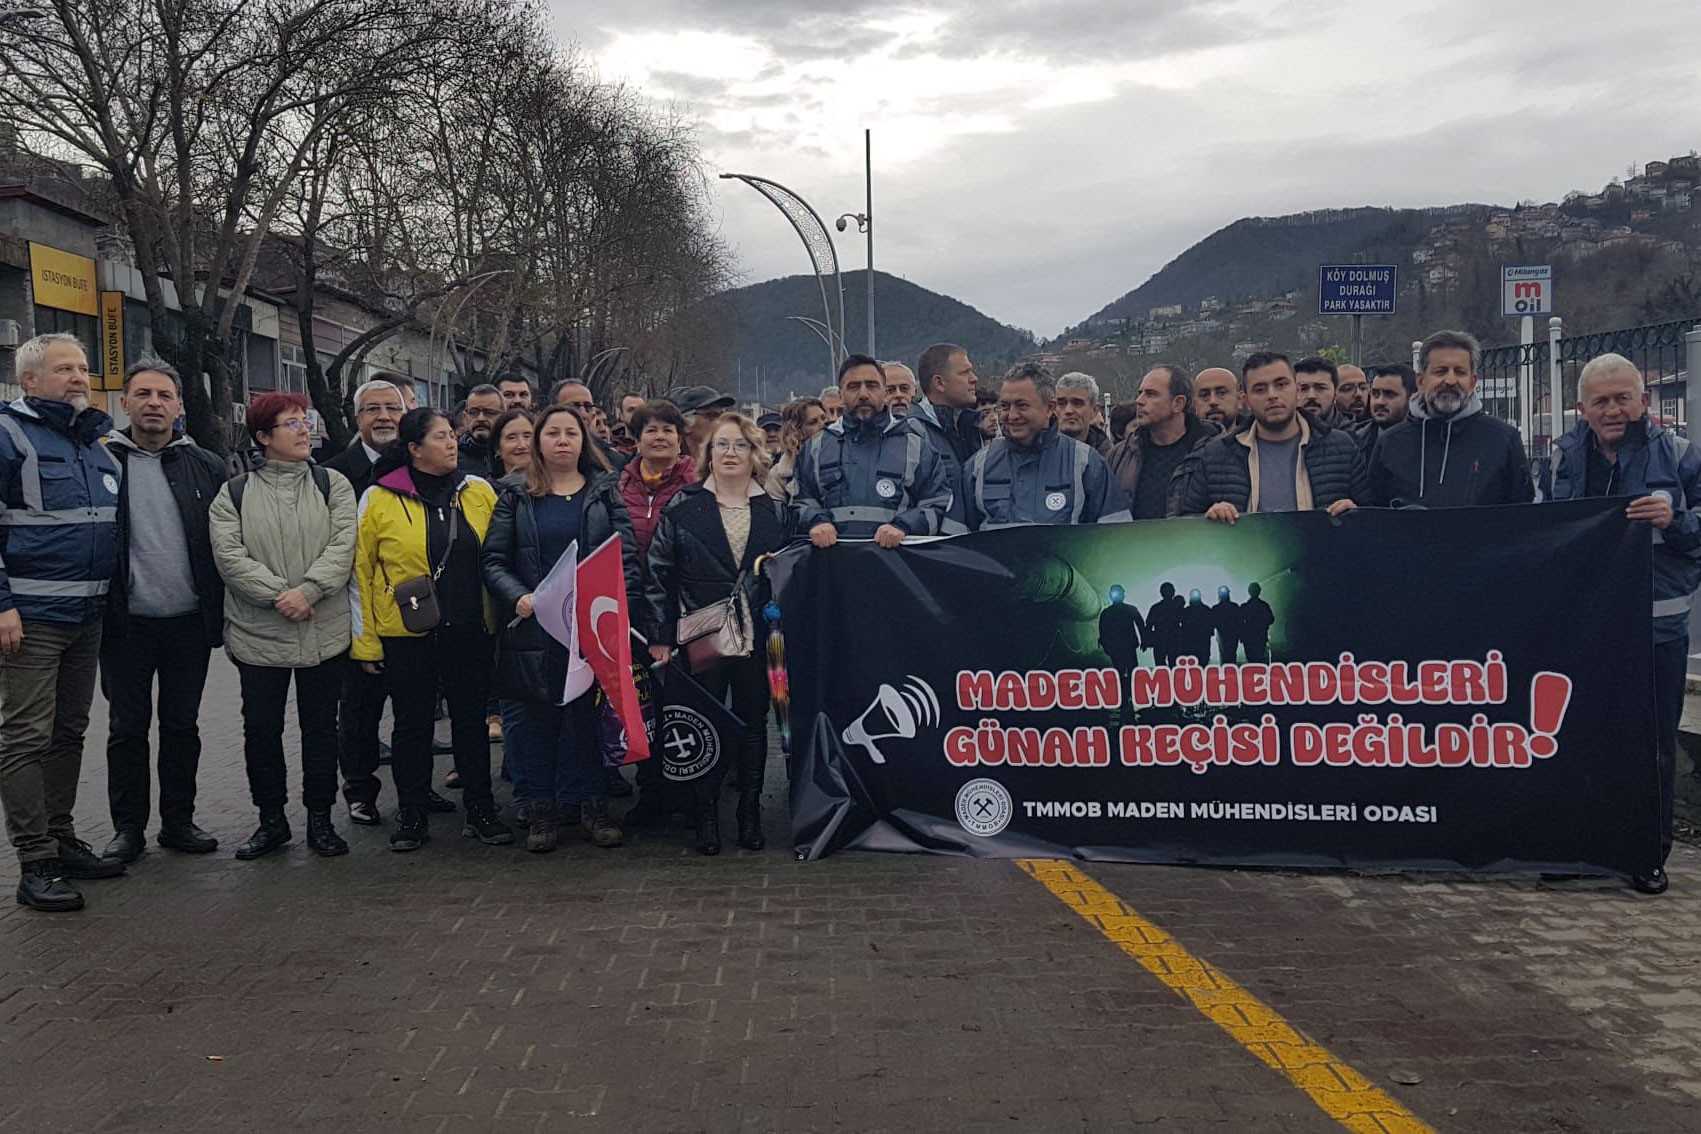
(203, 116)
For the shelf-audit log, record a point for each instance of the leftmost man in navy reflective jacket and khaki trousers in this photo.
(59, 555)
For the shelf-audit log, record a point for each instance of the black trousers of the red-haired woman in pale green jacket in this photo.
(265, 695)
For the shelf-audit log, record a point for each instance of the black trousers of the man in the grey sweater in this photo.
(178, 652)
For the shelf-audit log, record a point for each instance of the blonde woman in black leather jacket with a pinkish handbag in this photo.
(705, 547)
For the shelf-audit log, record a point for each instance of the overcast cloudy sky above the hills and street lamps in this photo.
(1040, 159)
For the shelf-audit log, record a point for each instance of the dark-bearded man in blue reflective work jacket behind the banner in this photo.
(870, 475)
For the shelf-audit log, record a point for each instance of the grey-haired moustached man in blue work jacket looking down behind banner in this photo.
(1033, 473)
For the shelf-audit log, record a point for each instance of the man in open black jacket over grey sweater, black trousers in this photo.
(164, 618)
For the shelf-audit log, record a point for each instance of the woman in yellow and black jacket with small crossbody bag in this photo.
(426, 518)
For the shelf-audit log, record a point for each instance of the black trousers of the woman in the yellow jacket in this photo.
(455, 659)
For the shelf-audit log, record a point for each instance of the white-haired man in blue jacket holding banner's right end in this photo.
(1617, 451)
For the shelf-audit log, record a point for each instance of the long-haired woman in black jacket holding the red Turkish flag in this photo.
(567, 496)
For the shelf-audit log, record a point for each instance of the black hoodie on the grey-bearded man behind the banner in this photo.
(1450, 462)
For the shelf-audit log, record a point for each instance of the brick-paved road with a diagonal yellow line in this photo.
(470, 989)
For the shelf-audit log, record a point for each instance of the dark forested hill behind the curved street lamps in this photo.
(773, 356)
